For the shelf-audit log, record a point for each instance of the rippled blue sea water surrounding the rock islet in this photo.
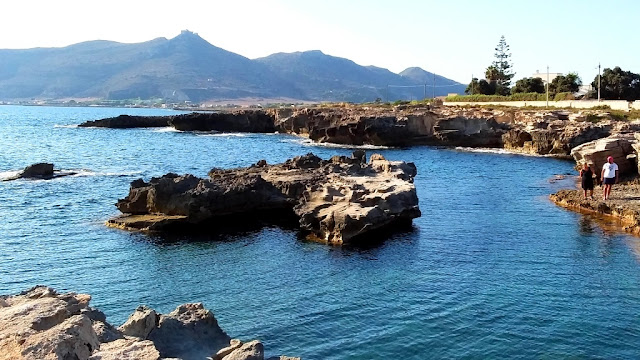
(491, 270)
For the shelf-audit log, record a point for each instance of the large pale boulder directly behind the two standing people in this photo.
(620, 147)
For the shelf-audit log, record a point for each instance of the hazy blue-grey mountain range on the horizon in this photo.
(188, 67)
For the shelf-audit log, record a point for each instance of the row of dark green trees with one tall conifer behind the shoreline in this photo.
(615, 84)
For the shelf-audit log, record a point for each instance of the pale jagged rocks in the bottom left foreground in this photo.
(42, 324)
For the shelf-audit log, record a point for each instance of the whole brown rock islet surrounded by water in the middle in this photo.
(337, 200)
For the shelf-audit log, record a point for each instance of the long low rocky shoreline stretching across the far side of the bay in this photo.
(540, 132)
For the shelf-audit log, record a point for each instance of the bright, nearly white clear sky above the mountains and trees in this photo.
(455, 39)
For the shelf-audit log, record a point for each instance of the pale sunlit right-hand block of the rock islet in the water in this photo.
(341, 208)
